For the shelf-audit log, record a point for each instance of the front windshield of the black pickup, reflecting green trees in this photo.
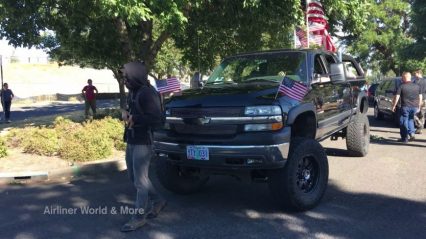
(267, 68)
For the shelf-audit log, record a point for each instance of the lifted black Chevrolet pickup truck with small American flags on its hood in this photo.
(260, 116)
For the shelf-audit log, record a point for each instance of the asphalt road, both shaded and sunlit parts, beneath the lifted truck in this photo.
(382, 195)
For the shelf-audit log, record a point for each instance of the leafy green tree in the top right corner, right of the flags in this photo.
(383, 42)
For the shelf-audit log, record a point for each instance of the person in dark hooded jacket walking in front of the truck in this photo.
(144, 110)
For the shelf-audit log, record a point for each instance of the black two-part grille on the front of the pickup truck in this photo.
(192, 129)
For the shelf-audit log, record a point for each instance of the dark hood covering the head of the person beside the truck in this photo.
(136, 75)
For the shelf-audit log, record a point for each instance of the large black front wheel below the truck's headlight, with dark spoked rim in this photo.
(301, 184)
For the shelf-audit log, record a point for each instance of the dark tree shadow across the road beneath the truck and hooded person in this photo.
(223, 209)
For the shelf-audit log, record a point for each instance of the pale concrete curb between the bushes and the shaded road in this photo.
(78, 170)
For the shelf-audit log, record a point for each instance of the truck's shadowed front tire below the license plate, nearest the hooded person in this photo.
(177, 179)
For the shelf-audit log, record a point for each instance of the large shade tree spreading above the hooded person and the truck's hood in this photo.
(107, 33)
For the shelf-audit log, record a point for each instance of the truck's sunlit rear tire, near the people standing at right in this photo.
(358, 136)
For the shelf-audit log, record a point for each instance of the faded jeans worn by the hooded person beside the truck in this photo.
(138, 159)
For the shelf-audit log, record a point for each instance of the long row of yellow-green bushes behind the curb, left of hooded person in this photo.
(86, 141)
